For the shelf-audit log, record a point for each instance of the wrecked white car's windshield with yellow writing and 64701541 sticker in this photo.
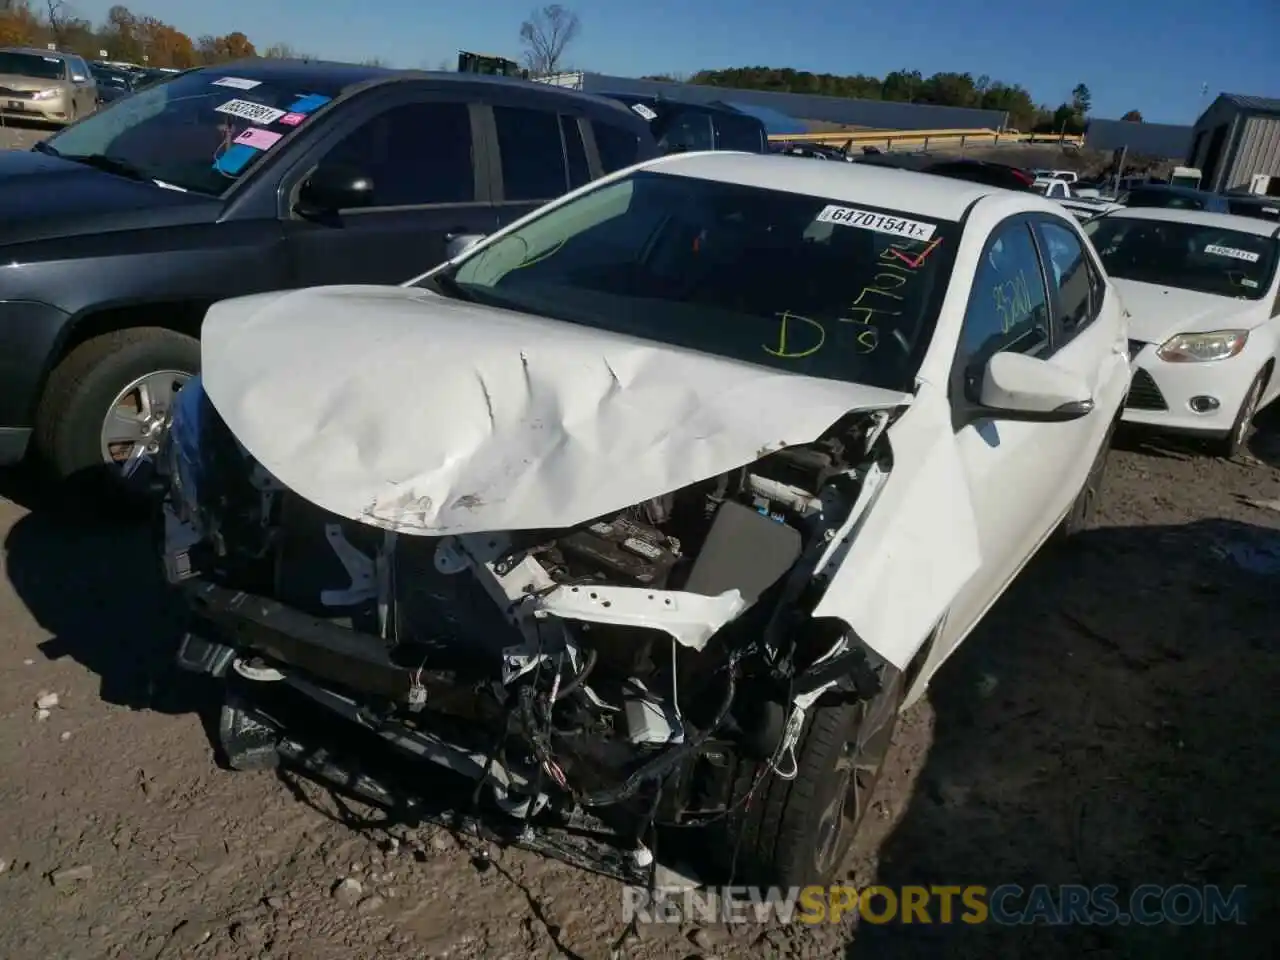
(799, 284)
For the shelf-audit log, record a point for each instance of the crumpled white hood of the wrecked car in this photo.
(429, 417)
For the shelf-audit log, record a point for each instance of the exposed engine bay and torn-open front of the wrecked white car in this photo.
(630, 668)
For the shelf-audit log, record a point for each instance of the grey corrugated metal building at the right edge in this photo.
(1236, 139)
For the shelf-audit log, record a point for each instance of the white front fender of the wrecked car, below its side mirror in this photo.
(911, 551)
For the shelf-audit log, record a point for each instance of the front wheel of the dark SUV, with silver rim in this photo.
(108, 405)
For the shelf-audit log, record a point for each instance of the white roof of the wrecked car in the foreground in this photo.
(926, 195)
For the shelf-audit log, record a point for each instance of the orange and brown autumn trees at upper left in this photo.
(125, 36)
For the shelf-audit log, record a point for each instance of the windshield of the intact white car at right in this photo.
(1190, 257)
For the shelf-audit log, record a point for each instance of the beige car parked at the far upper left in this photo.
(47, 86)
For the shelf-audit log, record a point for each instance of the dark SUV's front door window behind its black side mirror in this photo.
(417, 154)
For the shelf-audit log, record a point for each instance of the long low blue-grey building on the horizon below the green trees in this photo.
(858, 113)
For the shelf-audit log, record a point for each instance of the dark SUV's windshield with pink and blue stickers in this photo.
(200, 131)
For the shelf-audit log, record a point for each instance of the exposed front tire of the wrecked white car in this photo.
(796, 833)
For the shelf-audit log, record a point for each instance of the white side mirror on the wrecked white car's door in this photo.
(1020, 387)
